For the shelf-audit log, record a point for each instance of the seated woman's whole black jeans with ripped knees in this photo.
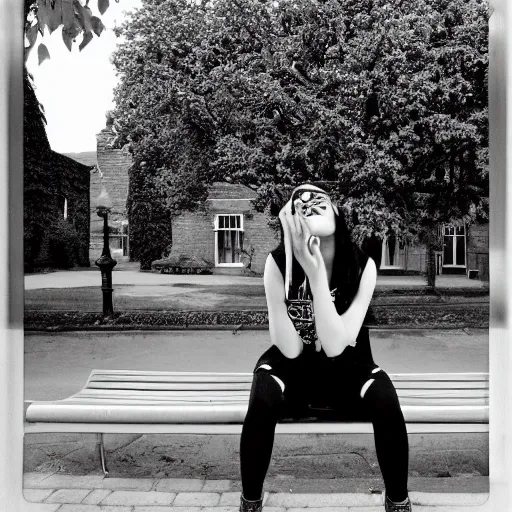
(315, 382)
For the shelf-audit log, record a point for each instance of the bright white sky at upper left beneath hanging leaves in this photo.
(76, 88)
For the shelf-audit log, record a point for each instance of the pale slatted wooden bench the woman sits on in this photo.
(118, 401)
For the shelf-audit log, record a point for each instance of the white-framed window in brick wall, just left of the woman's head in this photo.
(229, 240)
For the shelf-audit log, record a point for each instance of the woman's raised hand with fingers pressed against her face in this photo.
(306, 248)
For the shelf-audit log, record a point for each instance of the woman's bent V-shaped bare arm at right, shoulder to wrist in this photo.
(334, 331)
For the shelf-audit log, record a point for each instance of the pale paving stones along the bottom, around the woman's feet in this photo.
(94, 493)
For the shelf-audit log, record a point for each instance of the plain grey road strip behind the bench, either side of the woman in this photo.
(58, 364)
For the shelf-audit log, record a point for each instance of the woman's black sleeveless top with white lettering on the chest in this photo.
(301, 314)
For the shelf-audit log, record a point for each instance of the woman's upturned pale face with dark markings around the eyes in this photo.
(317, 209)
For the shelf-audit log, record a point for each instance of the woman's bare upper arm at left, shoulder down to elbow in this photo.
(282, 331)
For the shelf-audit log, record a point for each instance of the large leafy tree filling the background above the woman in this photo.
(386, 99)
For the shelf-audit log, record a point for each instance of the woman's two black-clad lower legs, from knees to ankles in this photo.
(266, 406)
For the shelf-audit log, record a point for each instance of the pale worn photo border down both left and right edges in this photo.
(11, 258)
